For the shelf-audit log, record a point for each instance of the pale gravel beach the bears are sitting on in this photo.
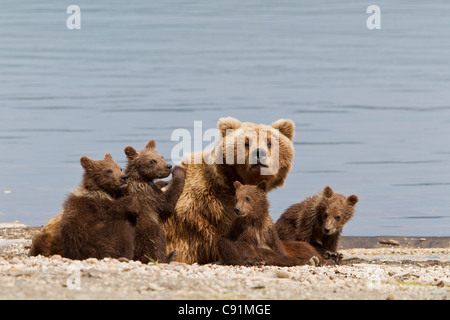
(386, 272)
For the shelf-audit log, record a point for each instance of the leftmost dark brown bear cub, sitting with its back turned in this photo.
(98, 221)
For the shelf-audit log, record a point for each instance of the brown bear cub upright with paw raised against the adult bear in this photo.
(143, 168)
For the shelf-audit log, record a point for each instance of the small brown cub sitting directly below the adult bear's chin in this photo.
(252, 239)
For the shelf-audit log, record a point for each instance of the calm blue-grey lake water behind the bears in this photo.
(371, 107)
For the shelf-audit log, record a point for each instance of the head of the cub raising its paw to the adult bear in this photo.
(146, 164)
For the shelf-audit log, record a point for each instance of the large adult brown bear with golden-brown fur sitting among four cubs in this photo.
(205, 210)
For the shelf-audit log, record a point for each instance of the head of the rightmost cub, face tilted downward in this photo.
(337, 210)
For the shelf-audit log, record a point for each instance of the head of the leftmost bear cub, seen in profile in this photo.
(105, 175)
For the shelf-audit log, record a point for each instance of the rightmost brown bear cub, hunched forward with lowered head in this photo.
(318, 220)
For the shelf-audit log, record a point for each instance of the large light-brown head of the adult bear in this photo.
(257, 152)
